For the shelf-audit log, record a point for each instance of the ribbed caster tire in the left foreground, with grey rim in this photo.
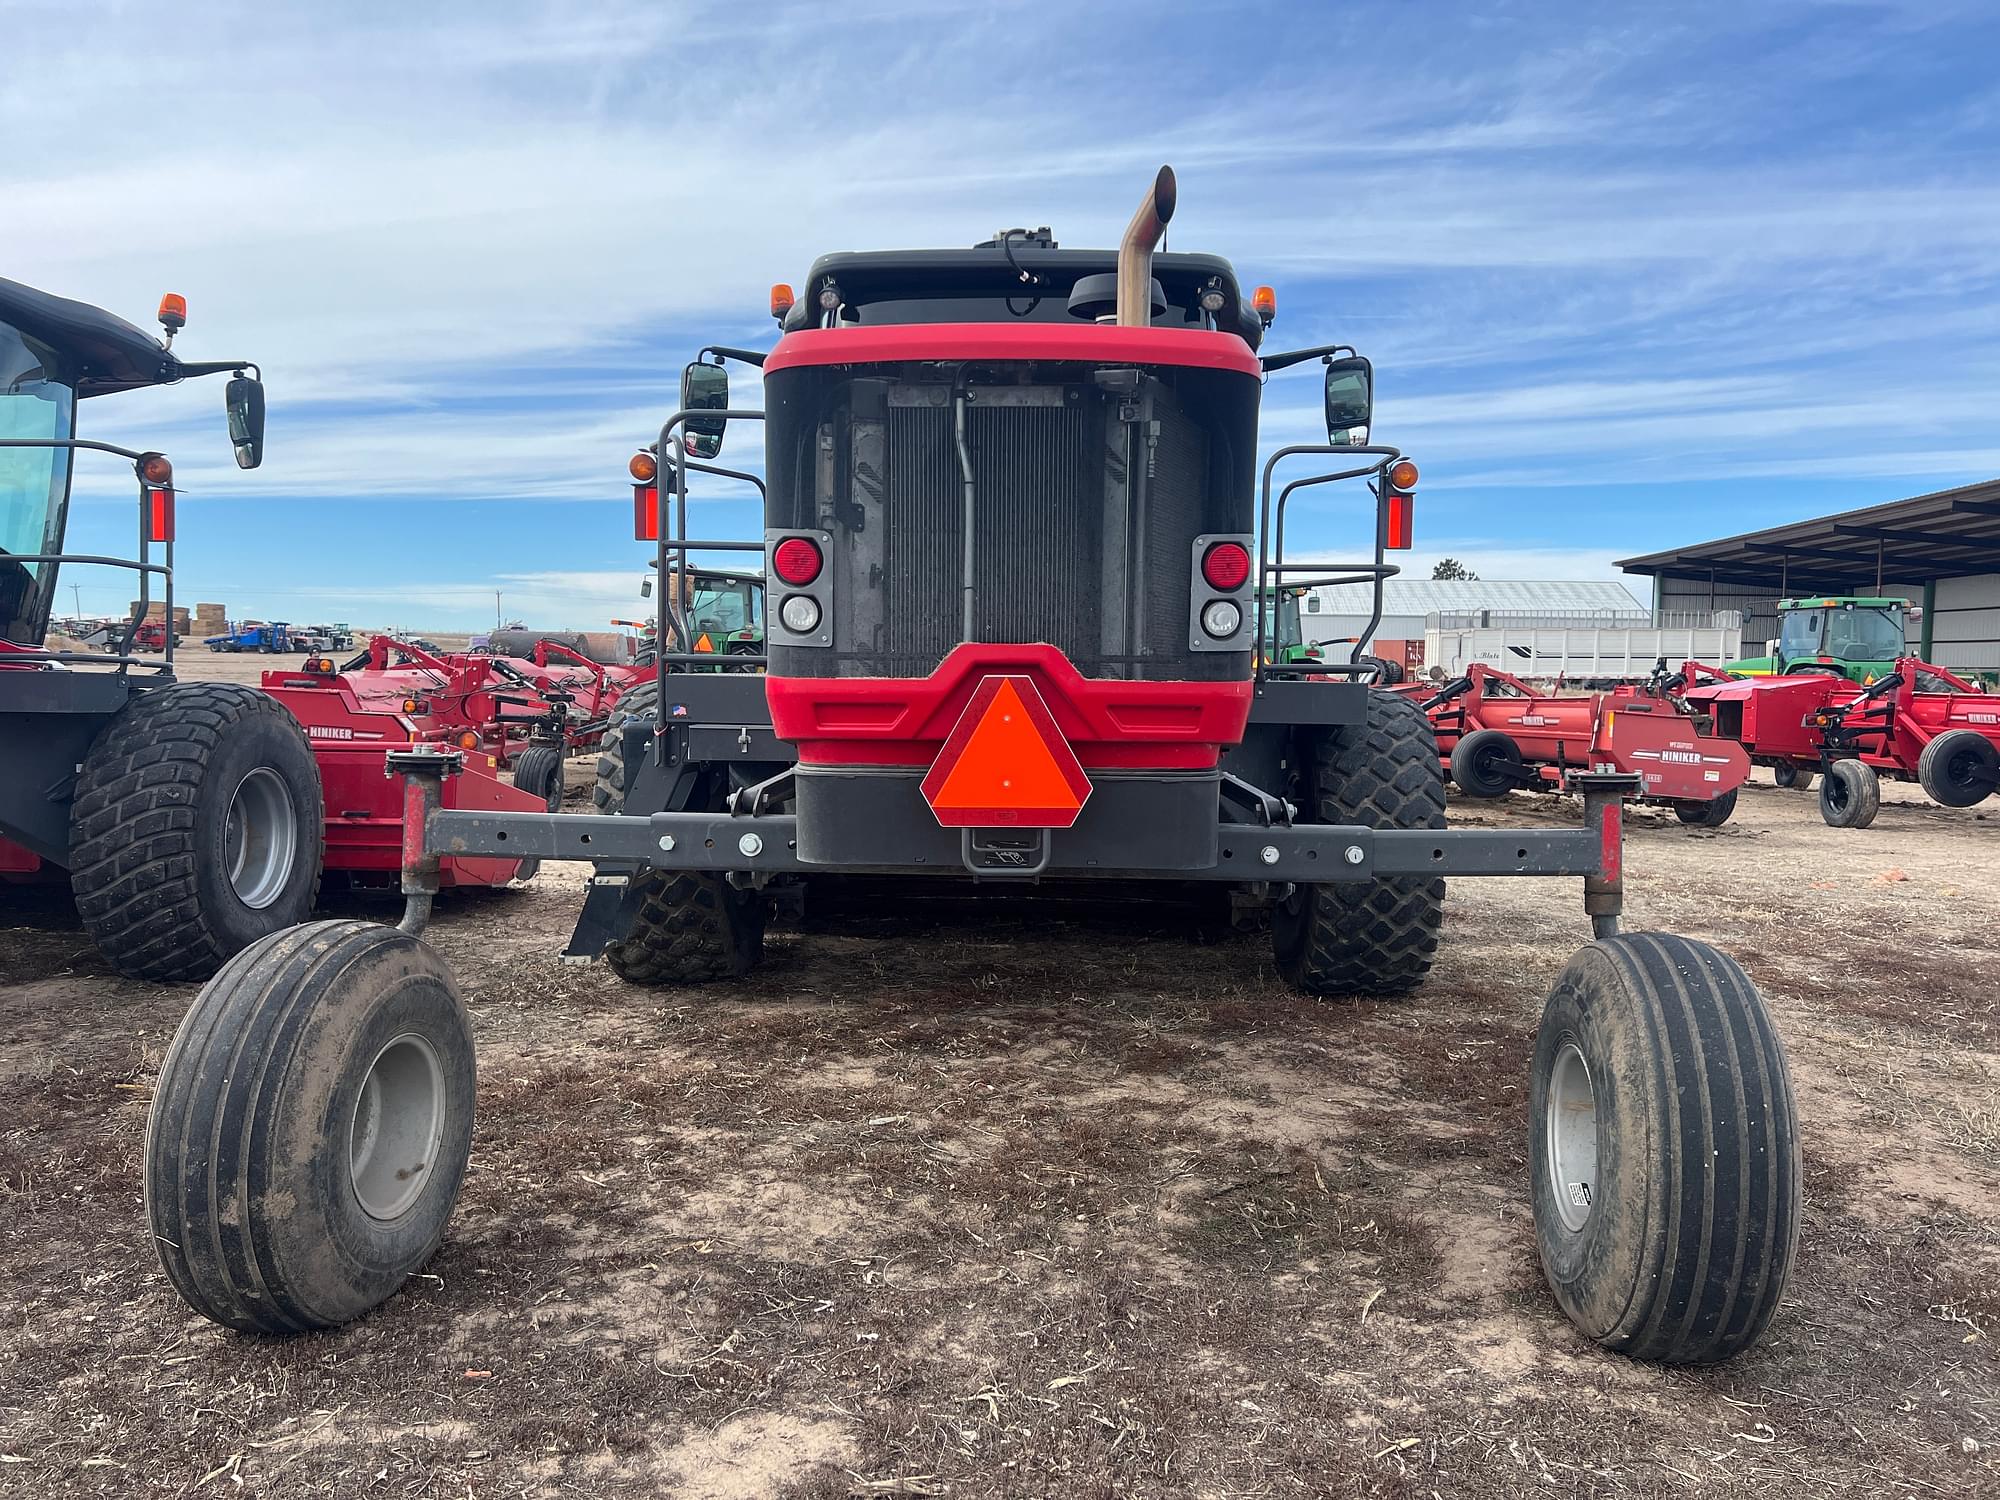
(311, 1129)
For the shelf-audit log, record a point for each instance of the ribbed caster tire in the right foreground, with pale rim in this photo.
(1665, 1151)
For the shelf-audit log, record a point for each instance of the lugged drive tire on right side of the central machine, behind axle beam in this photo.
(1367, 937)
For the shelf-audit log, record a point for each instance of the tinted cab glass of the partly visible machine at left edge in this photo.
(33, 481)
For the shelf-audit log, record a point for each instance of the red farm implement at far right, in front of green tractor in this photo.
(1915, 725)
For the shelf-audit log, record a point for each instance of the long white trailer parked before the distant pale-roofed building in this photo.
(1581, 653)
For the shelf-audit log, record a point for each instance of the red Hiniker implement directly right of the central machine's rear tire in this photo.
(1497, 733)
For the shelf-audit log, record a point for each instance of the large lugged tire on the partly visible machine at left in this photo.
(197, 829)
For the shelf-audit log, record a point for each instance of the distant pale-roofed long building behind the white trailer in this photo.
(1341, 613)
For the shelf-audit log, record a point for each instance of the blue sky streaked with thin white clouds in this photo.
(1629, 275)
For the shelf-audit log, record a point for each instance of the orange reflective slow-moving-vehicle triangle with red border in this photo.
(1007, 765)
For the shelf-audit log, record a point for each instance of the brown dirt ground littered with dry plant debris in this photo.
(1051, 1205)
